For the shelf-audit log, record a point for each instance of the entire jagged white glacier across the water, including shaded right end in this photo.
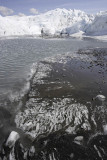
(54, 22)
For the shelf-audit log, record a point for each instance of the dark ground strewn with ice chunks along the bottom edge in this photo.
(57, 147)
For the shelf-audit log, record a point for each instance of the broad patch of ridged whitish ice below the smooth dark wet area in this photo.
(49, 116)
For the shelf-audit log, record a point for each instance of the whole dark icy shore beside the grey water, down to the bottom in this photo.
(64, 112)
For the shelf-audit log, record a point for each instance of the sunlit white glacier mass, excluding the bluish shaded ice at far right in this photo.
(52, 22)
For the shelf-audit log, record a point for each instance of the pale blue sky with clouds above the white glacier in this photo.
(28, 7)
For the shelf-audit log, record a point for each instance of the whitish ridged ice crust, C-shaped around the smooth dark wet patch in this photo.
(44, 115)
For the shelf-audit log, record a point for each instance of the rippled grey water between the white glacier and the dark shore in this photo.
(18, 55)
